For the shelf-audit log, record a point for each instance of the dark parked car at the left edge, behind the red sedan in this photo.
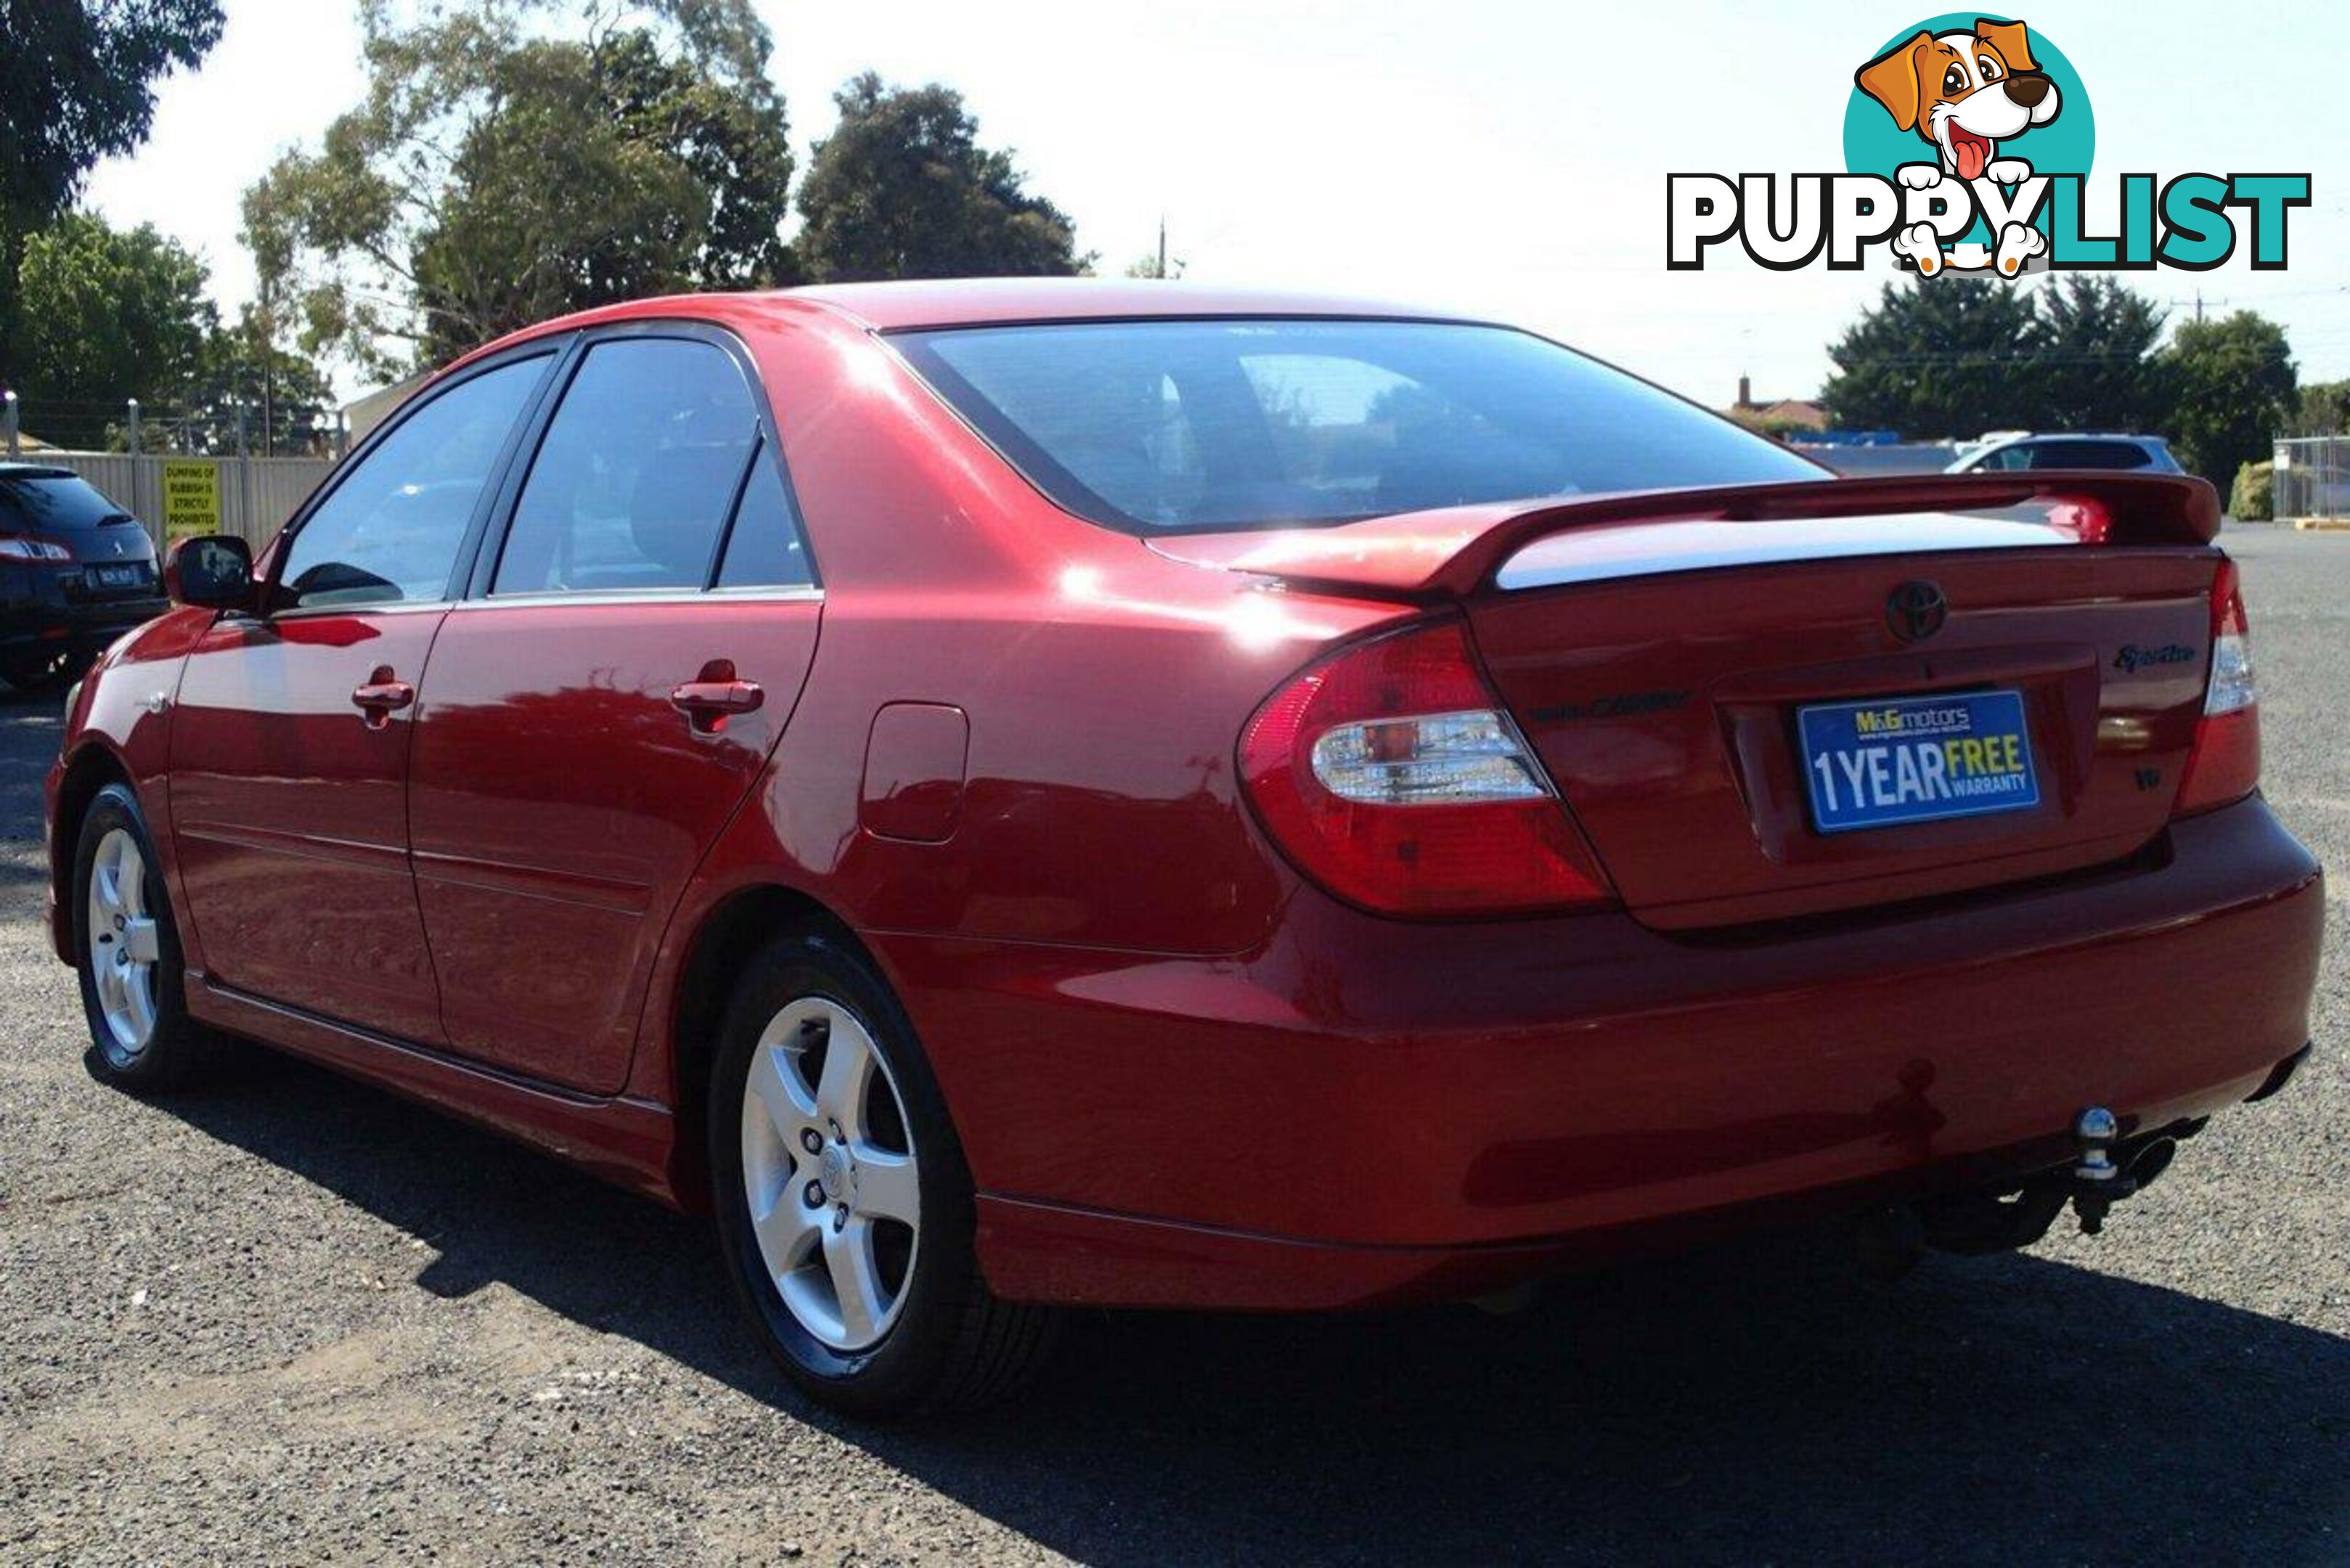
(76, 572)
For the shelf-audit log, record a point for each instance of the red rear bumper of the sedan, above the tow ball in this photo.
(1381, 1111)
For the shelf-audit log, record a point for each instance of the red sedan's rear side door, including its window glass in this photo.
(605, 699)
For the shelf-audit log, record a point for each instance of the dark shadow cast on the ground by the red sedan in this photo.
(1754, 1405)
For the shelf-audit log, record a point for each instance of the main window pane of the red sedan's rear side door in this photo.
(636, 476)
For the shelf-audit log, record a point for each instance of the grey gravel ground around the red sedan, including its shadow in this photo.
(295, 1318)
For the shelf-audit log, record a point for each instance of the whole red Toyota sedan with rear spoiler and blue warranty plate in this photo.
(1014, 796)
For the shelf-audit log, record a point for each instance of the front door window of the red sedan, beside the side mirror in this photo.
(391, 530)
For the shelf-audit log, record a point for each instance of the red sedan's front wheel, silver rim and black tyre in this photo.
(128, 953)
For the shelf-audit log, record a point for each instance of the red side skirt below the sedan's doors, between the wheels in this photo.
(622, 1139)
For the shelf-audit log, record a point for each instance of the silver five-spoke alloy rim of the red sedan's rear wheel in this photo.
(831, 1174)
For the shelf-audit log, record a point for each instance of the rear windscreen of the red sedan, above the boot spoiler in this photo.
(1247, 424)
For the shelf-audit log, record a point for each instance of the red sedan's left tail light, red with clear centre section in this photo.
(1392, 777)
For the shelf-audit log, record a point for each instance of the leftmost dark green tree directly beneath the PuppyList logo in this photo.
(1940, 359)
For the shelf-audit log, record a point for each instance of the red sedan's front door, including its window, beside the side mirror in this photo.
(290, 749)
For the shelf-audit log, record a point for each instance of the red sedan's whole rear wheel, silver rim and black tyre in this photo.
(842, 1198)
